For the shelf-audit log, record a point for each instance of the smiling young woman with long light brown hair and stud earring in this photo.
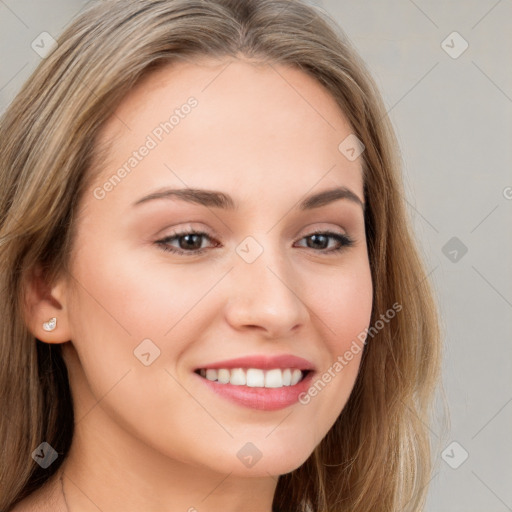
(213, 294)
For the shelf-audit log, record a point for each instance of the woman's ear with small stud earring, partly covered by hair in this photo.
(44, 302)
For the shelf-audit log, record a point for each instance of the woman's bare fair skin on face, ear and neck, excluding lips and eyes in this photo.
(155, 437)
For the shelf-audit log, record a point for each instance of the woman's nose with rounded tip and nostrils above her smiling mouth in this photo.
(264, 296)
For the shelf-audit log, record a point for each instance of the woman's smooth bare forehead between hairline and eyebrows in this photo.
(254, 125)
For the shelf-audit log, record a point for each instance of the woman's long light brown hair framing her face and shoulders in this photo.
(377, 455)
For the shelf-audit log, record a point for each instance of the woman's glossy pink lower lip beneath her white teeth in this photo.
(264, 399)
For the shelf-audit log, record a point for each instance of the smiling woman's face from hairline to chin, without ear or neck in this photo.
(148, 309)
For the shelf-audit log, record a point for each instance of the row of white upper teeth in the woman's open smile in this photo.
(254, 377)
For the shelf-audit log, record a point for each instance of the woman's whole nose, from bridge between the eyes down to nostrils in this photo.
(264, 294)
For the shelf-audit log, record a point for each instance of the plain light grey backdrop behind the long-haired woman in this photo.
(453, 121)
